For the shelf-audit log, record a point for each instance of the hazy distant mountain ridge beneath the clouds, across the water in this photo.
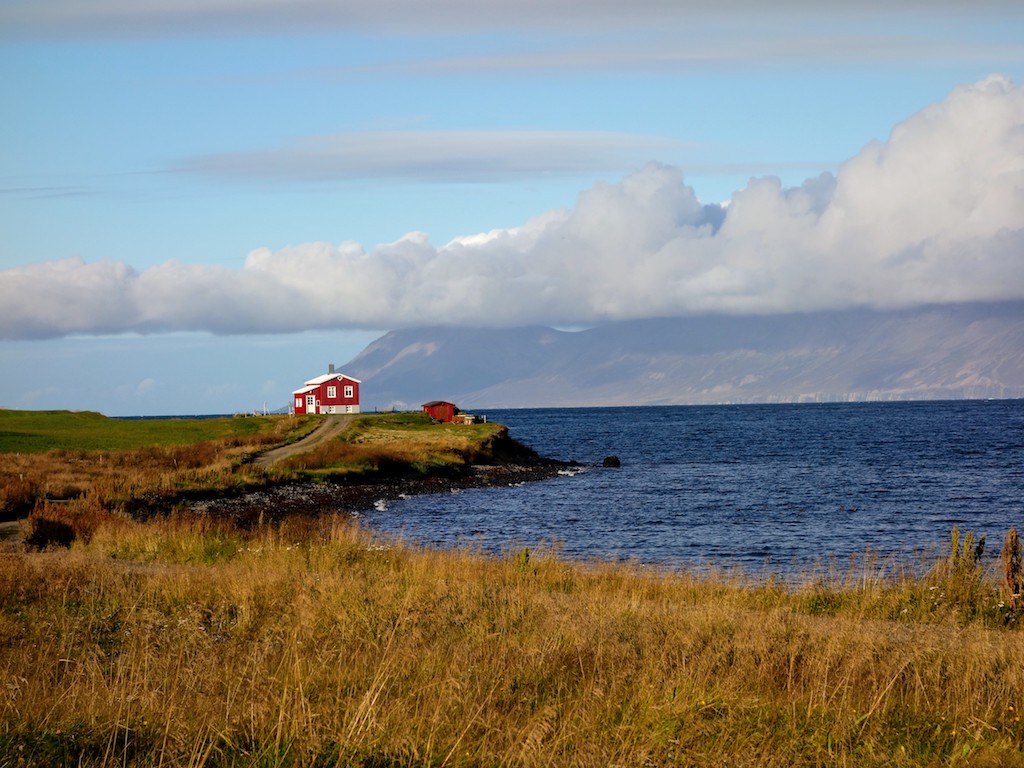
(956, 352)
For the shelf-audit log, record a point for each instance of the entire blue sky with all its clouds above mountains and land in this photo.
(204, 203)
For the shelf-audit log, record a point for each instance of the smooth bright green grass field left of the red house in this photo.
(39, 432)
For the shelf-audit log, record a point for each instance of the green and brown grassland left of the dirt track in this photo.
(88, 463)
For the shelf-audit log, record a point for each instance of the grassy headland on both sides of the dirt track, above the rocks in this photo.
(74, 467)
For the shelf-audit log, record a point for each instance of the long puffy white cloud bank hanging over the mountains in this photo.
(934, 215)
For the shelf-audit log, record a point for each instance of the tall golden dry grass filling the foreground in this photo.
(179, 643)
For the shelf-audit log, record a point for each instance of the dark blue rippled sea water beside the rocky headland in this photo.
(755, 487)
